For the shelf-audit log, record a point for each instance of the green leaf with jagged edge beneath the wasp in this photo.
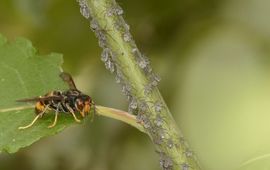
(26, 74)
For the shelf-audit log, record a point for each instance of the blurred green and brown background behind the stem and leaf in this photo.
(212, 55)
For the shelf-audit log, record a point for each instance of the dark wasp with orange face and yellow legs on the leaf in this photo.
(70, 101)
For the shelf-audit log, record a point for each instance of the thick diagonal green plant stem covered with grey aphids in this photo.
(139, 83)
